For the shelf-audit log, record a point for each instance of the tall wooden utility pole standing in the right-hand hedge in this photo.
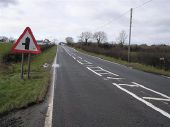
(130, 29)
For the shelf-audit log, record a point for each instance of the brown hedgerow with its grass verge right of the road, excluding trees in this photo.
(153, 59)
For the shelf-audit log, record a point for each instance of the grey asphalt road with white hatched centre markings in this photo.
(91, 92)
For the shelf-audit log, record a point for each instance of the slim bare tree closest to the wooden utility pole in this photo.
(122, 38)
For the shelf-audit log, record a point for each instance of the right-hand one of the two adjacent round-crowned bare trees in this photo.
(100, 37)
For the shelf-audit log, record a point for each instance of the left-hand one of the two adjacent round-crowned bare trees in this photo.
(85, 36)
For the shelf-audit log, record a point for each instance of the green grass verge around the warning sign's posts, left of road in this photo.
(16, 93)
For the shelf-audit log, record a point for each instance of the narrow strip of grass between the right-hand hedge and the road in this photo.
(138, 66)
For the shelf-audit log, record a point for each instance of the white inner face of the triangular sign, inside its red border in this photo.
(26, 43)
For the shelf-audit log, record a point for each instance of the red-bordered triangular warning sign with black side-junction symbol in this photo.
(26, 43)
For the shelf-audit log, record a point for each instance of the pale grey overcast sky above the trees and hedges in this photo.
(62, 18)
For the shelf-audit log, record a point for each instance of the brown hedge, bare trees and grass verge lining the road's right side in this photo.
(153, 58)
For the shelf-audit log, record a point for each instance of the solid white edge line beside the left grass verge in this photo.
(49, 114)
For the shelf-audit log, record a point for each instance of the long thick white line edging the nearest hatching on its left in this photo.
(144, 101)
